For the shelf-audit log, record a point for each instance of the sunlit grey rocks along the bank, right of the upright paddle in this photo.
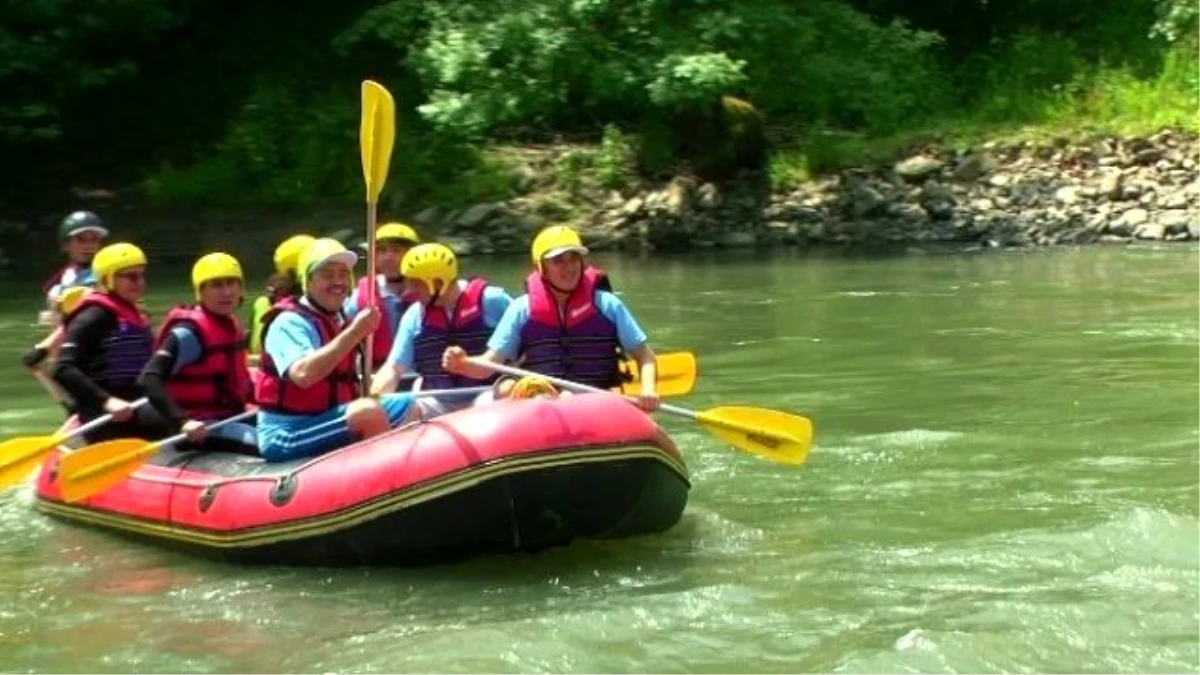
(1099, 190)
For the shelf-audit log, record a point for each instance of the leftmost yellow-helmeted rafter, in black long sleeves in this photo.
(107, 344)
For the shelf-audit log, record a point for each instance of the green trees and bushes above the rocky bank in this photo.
(847, 81)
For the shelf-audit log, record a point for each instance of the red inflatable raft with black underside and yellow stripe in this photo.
(514, 476)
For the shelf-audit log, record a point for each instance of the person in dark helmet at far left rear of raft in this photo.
(81, 235)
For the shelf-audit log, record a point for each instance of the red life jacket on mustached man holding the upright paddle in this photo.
(275, 393)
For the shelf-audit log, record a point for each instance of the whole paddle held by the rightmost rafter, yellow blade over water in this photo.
(775, 435)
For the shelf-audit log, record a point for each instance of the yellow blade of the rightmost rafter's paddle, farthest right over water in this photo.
(775, 435)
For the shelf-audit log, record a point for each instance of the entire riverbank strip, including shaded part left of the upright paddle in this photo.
(1099, 189)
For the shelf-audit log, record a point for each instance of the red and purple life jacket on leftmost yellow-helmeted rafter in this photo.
(125, 351)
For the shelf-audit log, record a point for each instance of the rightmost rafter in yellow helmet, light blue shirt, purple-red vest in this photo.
(568, 325)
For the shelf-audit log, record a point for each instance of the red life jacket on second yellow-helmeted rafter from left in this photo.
(217, 386)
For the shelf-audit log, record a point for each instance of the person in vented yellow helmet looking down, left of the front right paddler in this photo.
(447, 310)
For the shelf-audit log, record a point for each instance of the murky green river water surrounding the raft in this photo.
(1006, 479)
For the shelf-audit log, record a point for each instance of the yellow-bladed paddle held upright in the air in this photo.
(377, 135)
